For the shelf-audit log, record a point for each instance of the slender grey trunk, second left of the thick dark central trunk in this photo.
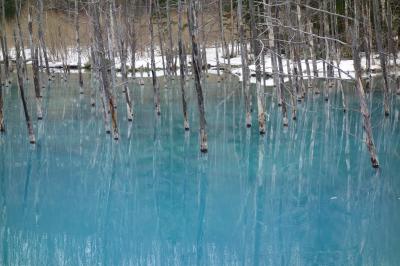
(156, 87)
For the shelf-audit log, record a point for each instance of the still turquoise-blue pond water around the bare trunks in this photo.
(305, 195)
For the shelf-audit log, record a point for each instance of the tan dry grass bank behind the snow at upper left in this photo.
(60, 29)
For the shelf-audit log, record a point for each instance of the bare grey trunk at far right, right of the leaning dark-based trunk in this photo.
(382, 54)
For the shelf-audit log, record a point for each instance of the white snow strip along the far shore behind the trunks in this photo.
(143, 61)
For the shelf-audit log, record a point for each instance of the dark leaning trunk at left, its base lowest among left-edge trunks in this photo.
(21, 90)
